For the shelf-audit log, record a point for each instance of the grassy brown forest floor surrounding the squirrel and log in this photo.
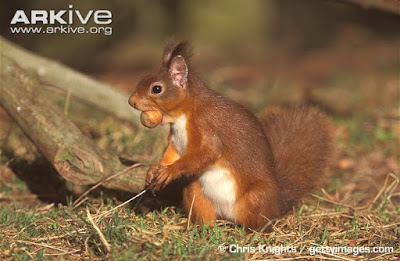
(358, 207)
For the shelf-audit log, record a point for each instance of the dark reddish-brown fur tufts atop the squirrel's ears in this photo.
(172, 49)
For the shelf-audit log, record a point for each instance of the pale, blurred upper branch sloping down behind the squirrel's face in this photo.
(92, 92)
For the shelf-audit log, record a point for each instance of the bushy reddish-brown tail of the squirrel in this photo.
(301, 141)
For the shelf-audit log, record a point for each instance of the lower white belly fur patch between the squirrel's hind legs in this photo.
(218, 185)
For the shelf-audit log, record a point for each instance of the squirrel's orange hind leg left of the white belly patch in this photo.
(197, 205)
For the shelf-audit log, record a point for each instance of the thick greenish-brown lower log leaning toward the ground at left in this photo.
(74, 156)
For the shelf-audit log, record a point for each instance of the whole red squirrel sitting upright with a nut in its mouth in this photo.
(239, 168)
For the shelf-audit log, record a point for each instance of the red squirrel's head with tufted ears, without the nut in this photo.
(166, 89)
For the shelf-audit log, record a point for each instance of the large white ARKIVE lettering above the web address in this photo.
(51, 17)
